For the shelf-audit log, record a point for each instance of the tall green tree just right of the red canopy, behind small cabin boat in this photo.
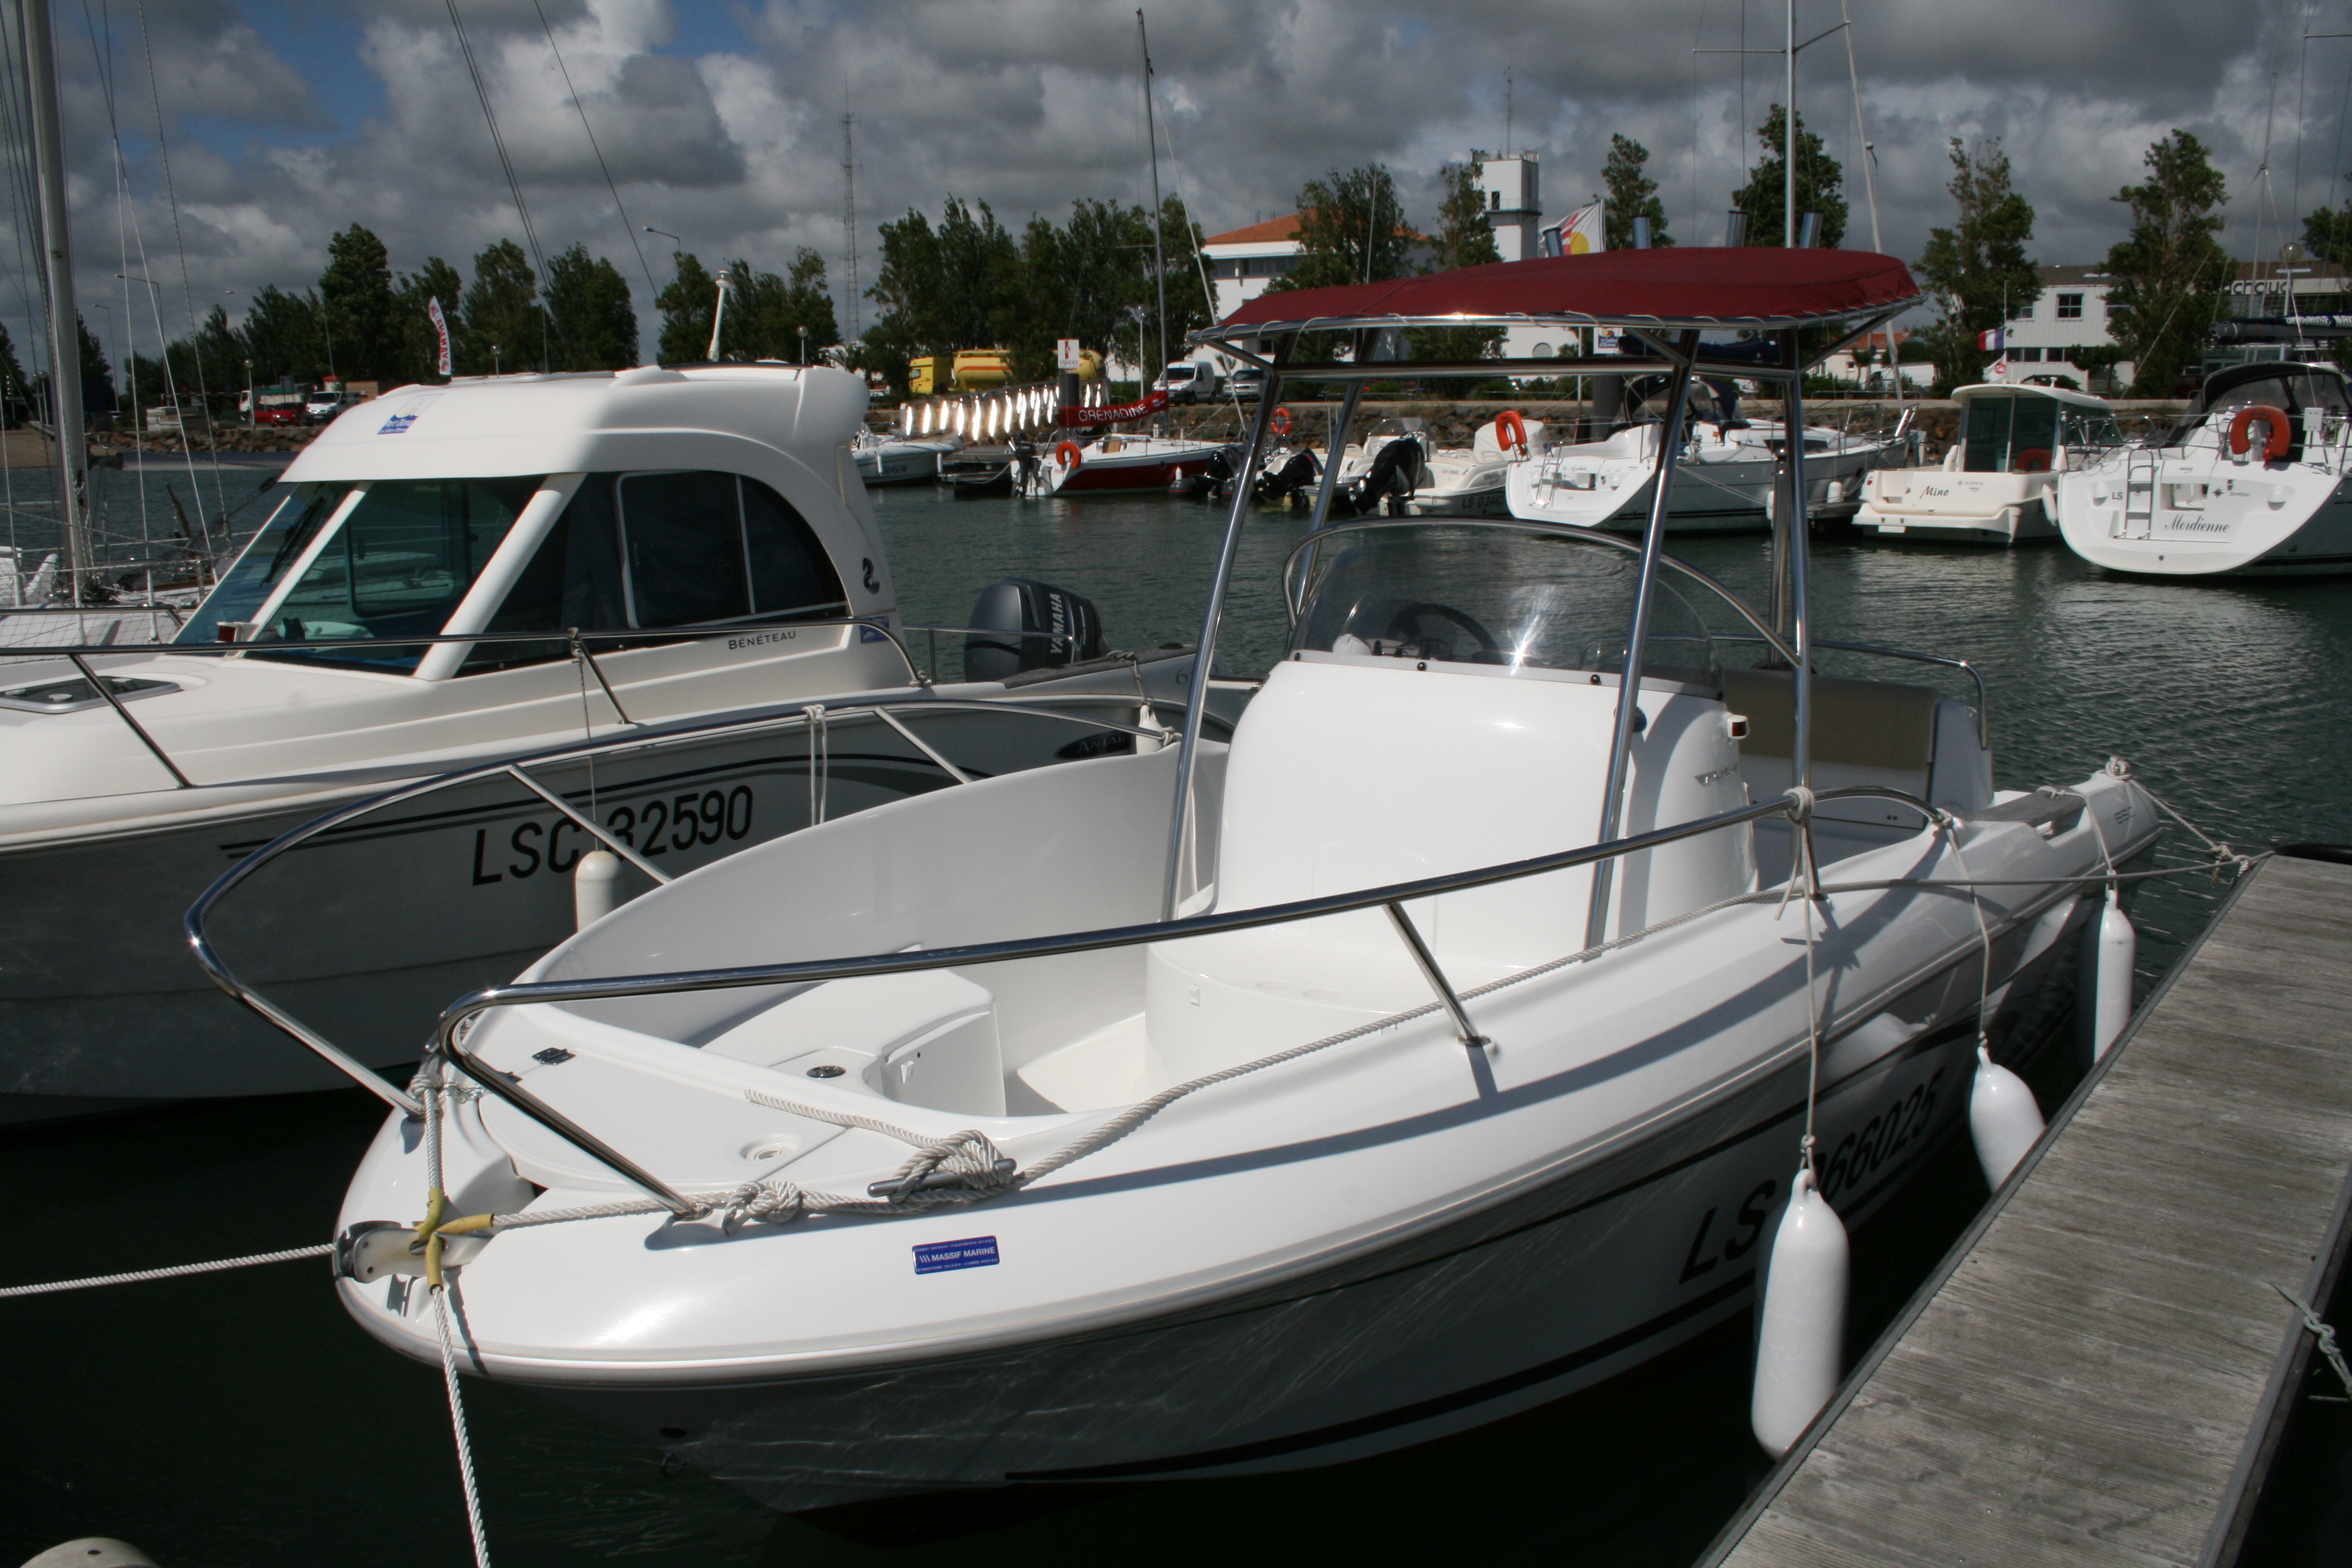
(1977, 272)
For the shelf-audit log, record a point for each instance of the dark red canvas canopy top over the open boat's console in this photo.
(1659, 288)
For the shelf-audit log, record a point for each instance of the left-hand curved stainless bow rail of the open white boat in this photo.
(516, 768)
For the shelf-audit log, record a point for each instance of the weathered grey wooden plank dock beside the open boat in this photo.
(2102, 1369)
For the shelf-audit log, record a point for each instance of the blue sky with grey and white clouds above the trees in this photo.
(721, 121)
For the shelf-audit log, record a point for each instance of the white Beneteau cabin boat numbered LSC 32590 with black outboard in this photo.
(509, 509)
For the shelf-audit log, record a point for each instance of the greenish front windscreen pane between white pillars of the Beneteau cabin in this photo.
(399, 565)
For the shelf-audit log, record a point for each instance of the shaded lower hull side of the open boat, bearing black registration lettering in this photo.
(1502, 1311)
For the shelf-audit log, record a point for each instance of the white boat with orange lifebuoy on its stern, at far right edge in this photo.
(2252, 483)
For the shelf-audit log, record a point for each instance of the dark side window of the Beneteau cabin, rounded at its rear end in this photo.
(664, 549)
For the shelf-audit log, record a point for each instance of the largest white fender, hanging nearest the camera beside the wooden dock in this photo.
(1803, 1329)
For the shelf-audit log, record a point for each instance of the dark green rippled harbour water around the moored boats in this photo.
(241, 1419)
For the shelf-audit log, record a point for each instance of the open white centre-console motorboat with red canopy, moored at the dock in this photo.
(1431, 1052)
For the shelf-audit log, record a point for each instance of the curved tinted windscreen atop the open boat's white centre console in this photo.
(1495, 596)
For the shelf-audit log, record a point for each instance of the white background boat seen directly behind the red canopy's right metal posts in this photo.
(1723, 476)
